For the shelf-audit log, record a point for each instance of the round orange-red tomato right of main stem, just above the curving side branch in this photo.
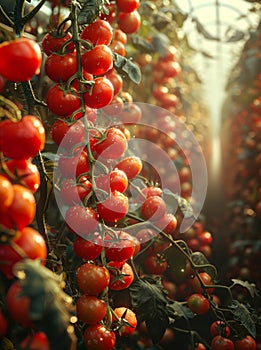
(153, 208)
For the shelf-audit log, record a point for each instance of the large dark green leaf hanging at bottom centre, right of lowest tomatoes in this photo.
(149, 301)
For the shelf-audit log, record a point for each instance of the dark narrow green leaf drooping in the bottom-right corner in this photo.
(243, 316)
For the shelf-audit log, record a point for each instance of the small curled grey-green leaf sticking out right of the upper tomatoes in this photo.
(125, 65)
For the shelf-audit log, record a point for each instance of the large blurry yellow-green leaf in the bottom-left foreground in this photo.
(50, 307)
